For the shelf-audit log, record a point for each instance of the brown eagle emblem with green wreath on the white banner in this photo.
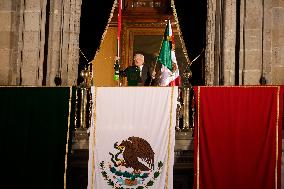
(132, 165)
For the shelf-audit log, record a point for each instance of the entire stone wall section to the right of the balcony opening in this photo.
(261, 42)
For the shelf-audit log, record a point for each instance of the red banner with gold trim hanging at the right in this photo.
(238, 137)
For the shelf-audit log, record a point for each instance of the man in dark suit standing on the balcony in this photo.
(139, 74)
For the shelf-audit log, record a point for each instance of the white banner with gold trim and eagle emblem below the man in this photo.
(132, 137)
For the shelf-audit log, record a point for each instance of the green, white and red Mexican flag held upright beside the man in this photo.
(169, 71)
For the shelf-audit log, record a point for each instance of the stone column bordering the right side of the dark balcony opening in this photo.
(220, 31)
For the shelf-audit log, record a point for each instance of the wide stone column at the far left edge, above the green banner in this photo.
(22, 35)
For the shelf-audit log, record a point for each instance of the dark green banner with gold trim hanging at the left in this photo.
(34, 124)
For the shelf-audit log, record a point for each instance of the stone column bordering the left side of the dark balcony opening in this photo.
(63, 51)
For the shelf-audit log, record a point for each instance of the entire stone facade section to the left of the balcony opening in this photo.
(39, 40)
